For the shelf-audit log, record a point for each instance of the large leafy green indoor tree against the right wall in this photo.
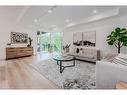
(118, 37)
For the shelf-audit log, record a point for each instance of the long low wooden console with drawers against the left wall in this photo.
(16, 52)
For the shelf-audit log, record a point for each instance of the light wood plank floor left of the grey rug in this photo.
(18, 74)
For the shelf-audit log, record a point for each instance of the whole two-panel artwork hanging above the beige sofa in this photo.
(85, 39)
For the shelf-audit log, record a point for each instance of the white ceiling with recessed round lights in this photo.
(38, 18)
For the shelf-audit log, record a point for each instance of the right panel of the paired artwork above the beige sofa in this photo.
(89, 38)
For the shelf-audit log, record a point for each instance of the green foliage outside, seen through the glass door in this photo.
(50, 45)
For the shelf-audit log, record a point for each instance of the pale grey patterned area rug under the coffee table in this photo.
(82, 76)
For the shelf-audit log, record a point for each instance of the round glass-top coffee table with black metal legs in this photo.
(60, 59)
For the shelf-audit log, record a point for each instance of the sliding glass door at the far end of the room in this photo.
(49, 42)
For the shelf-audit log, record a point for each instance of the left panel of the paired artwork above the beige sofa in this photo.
(77, 39)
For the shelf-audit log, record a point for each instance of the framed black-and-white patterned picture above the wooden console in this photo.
(19, 38)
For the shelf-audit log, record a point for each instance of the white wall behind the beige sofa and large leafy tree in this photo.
(102, 28)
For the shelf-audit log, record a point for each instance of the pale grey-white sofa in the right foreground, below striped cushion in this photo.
(108, 74)
